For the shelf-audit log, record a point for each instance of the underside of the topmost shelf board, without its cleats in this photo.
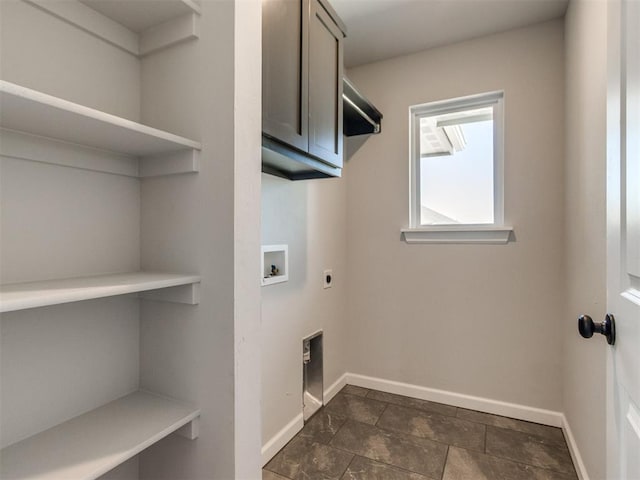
(140, 16)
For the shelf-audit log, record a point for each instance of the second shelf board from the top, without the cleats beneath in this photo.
(37, 113)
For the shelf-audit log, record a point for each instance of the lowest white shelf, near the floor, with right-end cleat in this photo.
(91, 444)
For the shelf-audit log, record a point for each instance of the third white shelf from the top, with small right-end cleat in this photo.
(21, 296)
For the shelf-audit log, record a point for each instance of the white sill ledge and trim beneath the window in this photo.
(485, 234)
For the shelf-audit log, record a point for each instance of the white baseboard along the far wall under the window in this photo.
(496, 407)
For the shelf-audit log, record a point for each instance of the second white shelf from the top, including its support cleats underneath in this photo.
(40, 127)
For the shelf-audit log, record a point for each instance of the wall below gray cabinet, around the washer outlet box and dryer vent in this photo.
(310, 217)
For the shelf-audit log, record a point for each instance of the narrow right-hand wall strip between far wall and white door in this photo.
(586, 90)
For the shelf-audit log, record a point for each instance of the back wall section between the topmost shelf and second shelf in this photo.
(47, 54)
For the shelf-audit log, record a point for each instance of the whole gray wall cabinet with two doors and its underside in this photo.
(302, 71)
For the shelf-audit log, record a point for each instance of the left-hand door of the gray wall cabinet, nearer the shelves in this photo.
(285, 109)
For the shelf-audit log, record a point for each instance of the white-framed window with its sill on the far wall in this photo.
(457, 169)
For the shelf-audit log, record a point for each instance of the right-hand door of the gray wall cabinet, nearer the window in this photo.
(325, 86)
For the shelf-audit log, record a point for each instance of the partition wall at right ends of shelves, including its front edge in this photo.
(208, 224)
